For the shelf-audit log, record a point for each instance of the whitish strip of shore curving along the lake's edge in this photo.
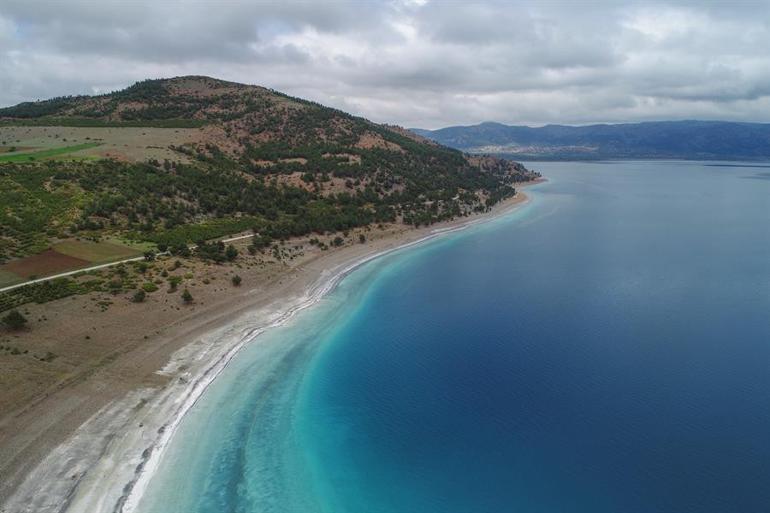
(119, 489)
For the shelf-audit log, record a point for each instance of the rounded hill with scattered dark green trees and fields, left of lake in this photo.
(176, 160)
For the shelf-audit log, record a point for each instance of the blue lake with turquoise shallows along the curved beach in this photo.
(604, 349)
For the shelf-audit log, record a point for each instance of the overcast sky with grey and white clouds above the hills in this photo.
(415, 63)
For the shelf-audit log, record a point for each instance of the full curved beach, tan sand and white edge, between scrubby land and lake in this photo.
(117, 459)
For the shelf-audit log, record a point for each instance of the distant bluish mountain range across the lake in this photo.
(704, 140)
